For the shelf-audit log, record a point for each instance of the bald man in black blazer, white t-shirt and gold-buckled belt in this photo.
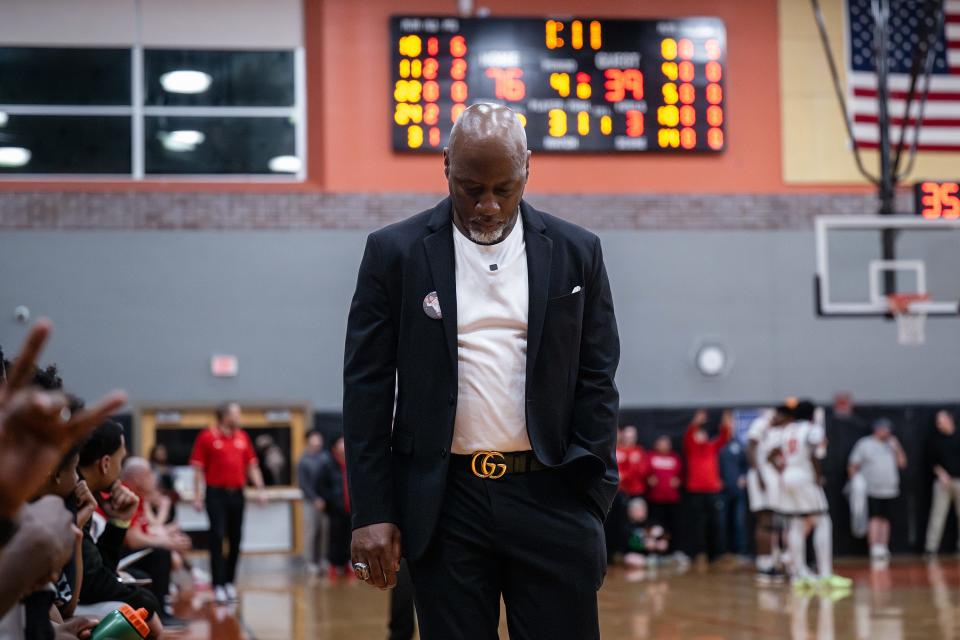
(480, 409)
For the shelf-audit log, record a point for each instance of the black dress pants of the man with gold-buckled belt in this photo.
(532, 538)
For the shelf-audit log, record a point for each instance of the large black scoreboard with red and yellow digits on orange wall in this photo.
(578, 84)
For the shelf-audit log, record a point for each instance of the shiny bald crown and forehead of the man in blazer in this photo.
(489, 125)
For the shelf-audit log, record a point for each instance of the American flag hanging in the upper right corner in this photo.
(940, 130)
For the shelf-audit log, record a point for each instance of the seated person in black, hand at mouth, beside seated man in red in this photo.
(100, 463)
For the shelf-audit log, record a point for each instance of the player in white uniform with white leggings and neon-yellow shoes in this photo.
(803, 445)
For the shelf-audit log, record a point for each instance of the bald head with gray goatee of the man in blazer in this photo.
(486, 164)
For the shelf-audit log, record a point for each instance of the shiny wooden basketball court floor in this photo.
(908, 599)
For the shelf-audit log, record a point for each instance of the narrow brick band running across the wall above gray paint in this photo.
(210, 210)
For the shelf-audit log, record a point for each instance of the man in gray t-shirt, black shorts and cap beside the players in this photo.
(879, 457)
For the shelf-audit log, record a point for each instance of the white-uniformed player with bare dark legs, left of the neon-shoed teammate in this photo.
(763, 491)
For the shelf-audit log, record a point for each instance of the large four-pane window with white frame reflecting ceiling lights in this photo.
(132, 113)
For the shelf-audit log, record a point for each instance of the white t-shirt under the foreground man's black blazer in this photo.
(492, 306)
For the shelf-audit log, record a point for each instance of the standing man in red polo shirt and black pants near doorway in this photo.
(224, 455)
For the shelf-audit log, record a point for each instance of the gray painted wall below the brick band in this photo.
(146, 310)
